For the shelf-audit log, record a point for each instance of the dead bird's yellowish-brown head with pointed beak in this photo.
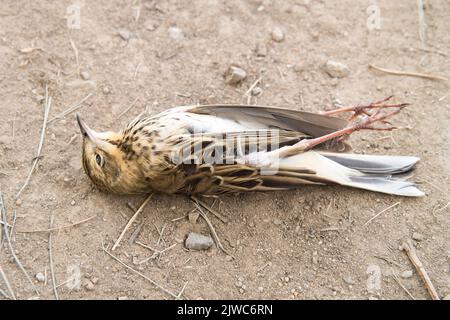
(103, 160)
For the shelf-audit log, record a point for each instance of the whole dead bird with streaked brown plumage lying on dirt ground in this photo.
(146, 155)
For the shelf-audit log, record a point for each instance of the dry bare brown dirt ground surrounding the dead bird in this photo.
(312, 243)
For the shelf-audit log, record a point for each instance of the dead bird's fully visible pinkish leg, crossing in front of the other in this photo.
(365, 123)
